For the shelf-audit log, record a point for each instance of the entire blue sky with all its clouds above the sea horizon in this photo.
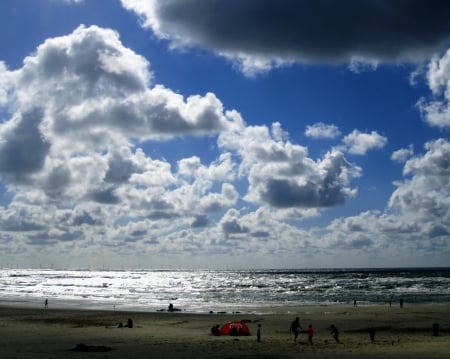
(224, 134)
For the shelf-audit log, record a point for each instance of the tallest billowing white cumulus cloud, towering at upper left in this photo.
(87, 92)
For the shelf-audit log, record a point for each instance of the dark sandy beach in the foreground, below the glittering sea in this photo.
(400, 333)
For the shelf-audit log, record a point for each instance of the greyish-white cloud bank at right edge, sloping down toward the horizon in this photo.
(417, 215)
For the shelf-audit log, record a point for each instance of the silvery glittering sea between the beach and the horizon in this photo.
(202, 291)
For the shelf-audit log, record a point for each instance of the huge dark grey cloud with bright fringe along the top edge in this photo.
(258, 35)
